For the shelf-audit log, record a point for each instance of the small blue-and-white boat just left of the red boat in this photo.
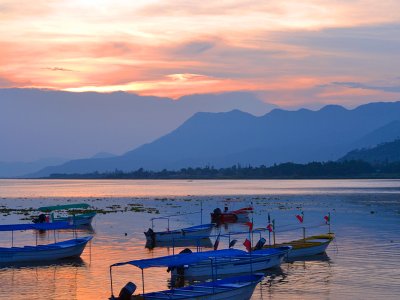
(195, 232)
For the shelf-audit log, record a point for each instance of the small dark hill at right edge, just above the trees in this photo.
(381, 154)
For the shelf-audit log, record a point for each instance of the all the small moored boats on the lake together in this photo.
(220, 274)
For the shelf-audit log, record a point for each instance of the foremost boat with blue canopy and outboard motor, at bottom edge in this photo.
(234, 288)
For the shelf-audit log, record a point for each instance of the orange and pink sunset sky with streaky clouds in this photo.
(290, 53)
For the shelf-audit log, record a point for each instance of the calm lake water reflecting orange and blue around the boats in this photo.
(363, 263)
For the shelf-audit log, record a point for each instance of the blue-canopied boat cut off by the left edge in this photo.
(40, 253)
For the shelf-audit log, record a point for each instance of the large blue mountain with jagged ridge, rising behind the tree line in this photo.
(224, 139)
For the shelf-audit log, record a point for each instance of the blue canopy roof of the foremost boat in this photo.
(181, 259)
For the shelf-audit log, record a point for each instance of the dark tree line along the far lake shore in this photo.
(312, 170)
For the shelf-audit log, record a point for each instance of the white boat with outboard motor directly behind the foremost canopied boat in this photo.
(233, 262)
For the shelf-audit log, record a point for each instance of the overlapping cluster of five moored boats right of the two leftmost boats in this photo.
(222, 274)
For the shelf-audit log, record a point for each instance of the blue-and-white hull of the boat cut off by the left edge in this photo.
(61, 250)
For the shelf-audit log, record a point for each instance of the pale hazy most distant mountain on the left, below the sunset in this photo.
(46, 123)
